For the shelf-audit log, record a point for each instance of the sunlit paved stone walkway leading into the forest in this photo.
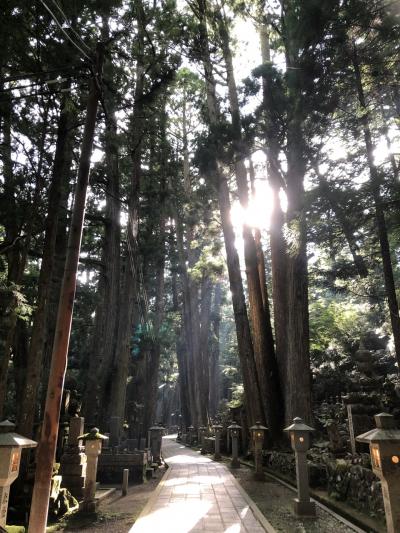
(197, 494)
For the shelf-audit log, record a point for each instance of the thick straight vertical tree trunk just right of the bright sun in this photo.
(298, 395)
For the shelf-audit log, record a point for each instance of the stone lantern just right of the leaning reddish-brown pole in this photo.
(93, 444)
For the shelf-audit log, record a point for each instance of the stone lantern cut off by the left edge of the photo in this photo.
(11, 445)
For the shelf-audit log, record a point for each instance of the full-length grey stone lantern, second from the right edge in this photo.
(300, 440)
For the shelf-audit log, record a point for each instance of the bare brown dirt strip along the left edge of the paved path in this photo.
(116, 514)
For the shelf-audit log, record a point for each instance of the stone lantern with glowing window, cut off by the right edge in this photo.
(384, 445)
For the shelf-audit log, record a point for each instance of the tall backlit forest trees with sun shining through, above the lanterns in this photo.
(241, 235)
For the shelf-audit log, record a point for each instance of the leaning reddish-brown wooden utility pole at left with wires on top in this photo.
(48, 439)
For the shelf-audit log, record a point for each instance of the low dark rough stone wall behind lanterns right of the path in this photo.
(344, 481)
